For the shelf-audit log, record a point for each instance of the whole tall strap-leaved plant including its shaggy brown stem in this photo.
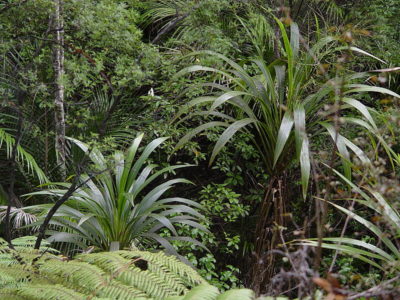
(283, 105)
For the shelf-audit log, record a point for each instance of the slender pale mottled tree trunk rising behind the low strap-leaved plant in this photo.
(58, 65)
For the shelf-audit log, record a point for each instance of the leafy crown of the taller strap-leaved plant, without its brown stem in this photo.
(281, 104)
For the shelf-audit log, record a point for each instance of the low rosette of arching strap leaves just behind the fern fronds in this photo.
(123, 206)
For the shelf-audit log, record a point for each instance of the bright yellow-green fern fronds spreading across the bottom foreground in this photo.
(32, 274)
